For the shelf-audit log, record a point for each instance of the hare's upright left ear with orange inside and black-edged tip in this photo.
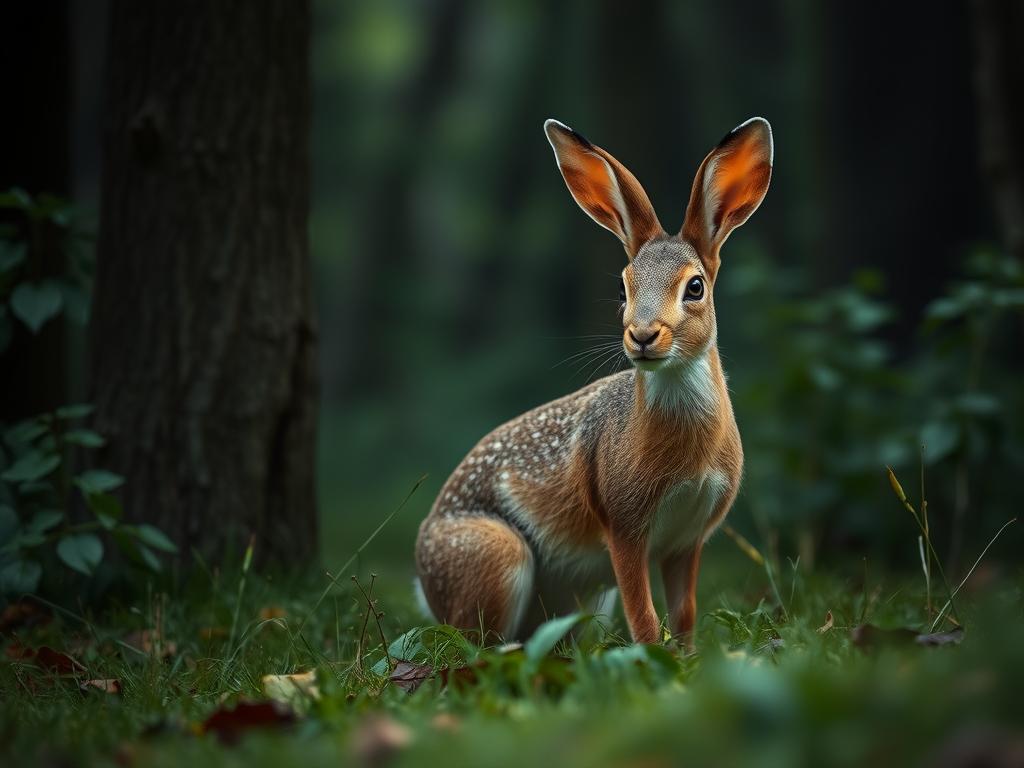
(603, 188)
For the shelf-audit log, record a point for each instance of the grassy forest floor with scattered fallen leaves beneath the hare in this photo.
(793, 669)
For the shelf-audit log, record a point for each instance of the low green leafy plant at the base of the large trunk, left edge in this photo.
(37, 491)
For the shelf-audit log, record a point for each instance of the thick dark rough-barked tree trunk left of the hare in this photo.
(203, 337)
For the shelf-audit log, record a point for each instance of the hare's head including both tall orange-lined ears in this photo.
(668, 286)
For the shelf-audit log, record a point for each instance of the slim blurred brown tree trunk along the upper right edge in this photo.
(999, 29)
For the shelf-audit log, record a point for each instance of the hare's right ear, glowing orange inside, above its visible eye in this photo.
(730, 187)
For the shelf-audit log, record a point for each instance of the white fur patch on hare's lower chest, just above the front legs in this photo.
(682, 517)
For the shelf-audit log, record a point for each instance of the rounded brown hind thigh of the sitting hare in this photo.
(476, 573)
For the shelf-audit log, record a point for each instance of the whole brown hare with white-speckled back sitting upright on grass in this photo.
(635, 468)
